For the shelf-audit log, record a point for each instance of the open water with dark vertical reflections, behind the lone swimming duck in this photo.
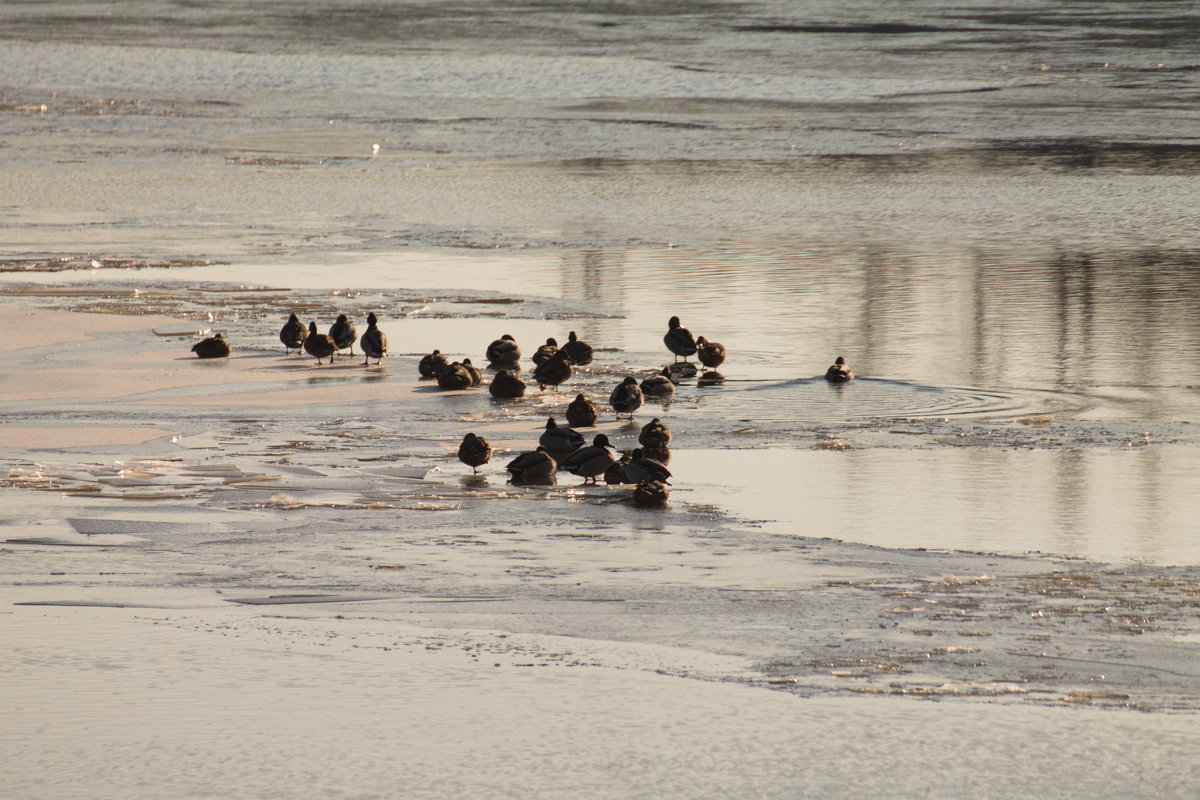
(973, 317)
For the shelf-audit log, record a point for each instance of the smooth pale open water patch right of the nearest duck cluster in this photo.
(1100, 506)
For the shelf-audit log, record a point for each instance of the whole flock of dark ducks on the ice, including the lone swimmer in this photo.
(561, 448)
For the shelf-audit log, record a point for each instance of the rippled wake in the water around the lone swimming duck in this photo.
(814, 400)
